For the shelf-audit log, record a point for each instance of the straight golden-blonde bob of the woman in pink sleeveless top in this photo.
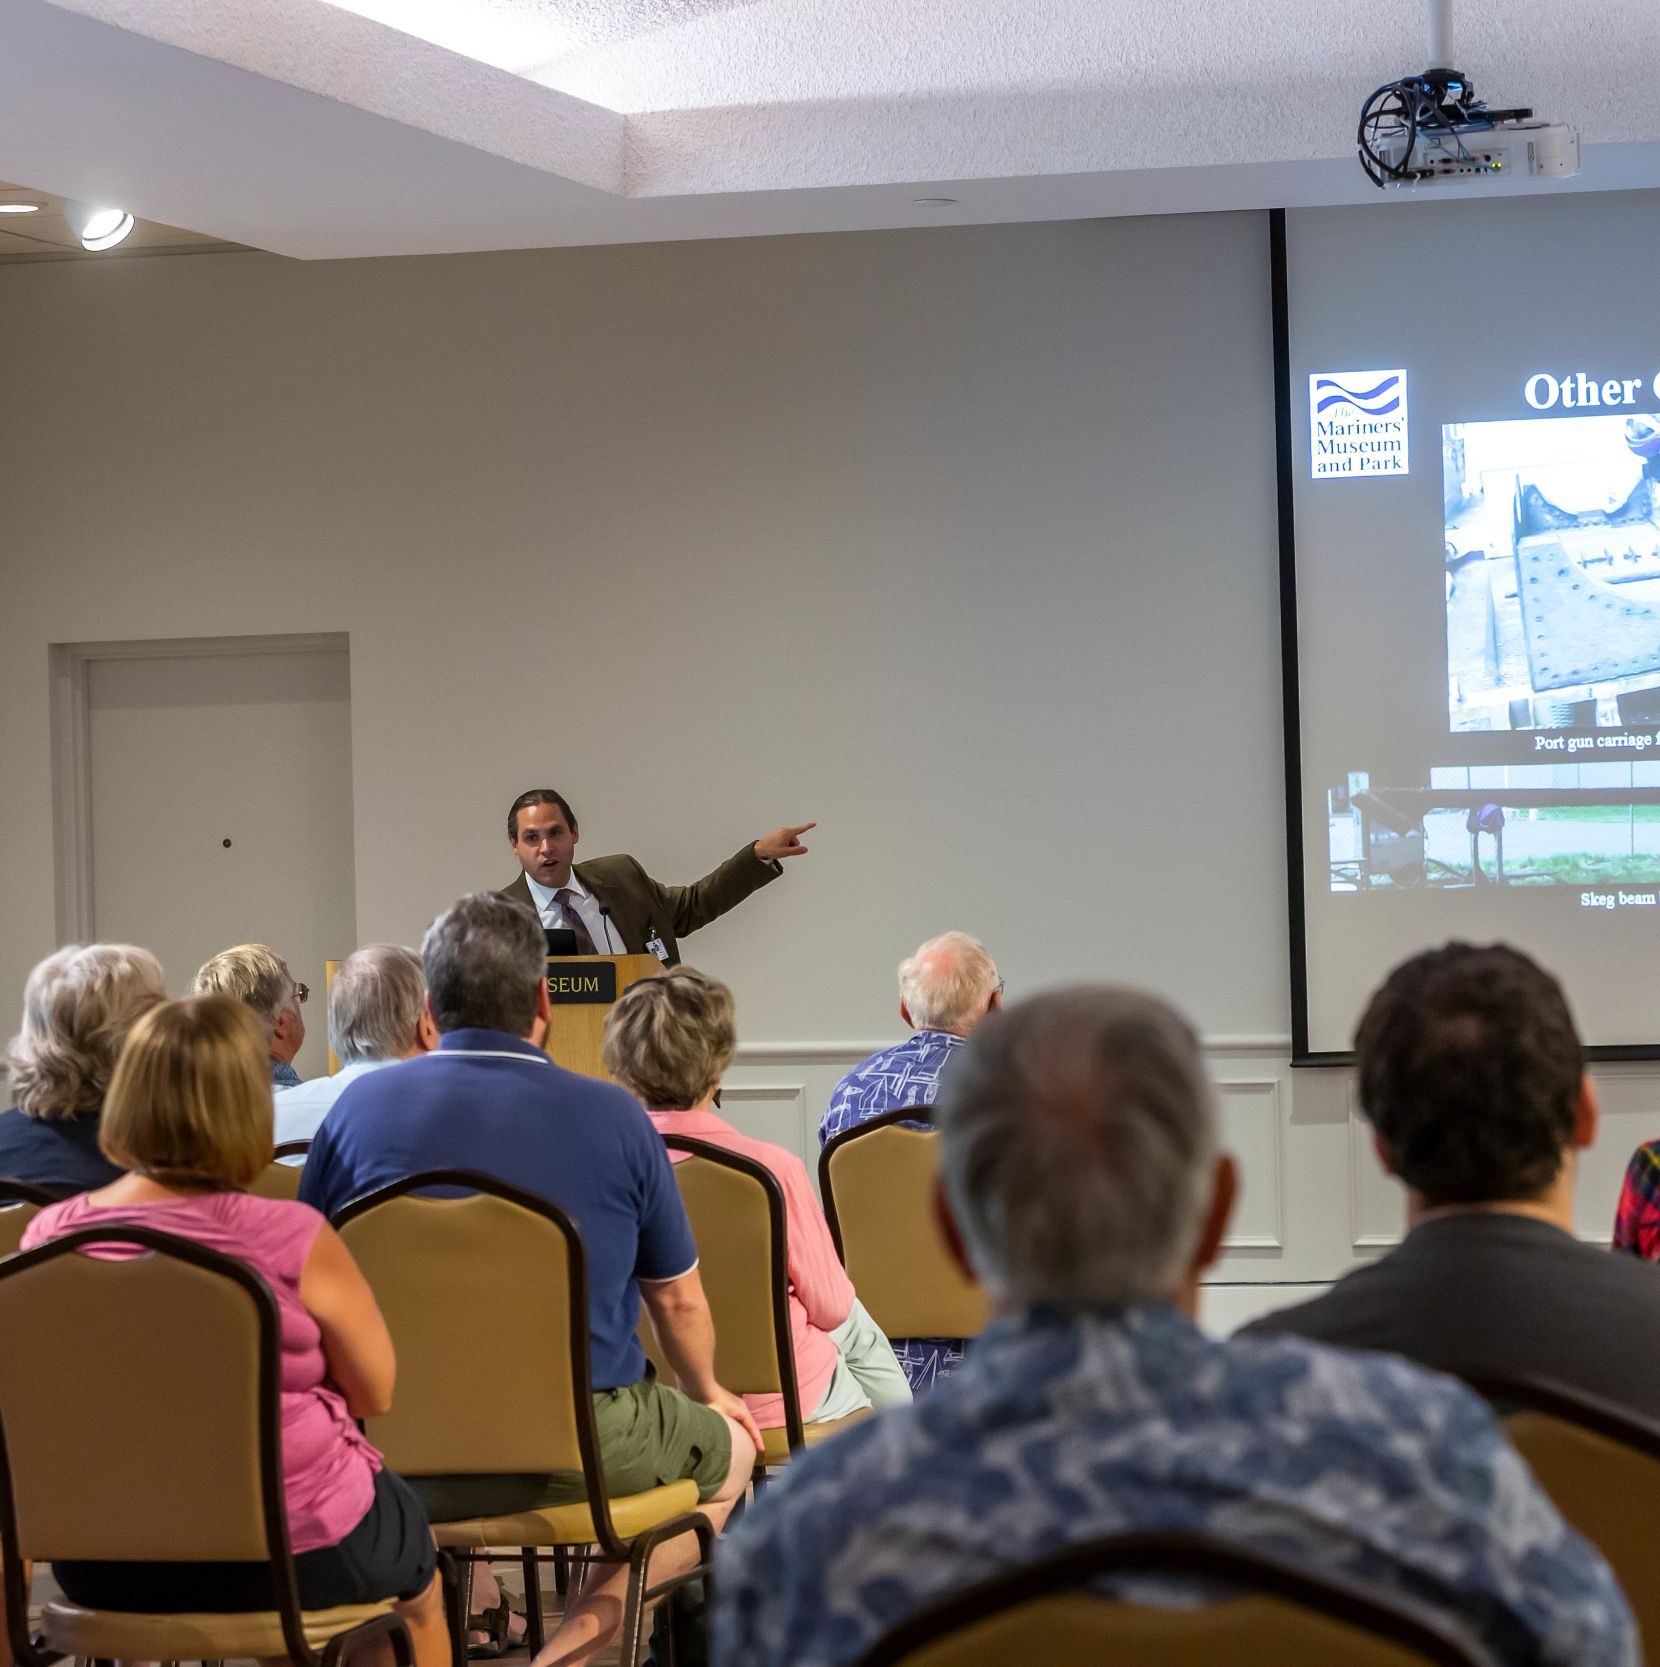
(192, 1096)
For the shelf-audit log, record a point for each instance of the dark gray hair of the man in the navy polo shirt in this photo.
(484, 959)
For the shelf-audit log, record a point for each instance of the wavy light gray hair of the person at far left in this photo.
(79, 1006)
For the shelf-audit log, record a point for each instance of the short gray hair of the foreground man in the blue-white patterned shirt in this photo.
(1079, 1143)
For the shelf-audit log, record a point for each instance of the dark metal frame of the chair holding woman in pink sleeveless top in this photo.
(272, 1498)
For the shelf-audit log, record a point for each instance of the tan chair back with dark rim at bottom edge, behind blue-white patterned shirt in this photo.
(1284, 1616)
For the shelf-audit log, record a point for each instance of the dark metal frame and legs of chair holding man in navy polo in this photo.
(611, 1548)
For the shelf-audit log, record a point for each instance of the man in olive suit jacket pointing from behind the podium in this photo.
(612, 904)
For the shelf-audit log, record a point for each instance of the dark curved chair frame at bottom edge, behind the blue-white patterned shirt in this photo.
(1177, 1554)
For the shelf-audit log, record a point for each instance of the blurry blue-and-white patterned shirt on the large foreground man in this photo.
(1062, 1428)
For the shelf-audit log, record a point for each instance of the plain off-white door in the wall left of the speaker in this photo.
(221, 803)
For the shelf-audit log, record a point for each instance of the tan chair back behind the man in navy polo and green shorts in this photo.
(431, 1263)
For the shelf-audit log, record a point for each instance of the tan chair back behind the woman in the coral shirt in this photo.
(741, 1256)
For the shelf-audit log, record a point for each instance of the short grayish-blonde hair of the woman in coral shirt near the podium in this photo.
(669, 1039)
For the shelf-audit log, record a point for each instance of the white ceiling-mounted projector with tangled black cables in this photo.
(1431, 128)
